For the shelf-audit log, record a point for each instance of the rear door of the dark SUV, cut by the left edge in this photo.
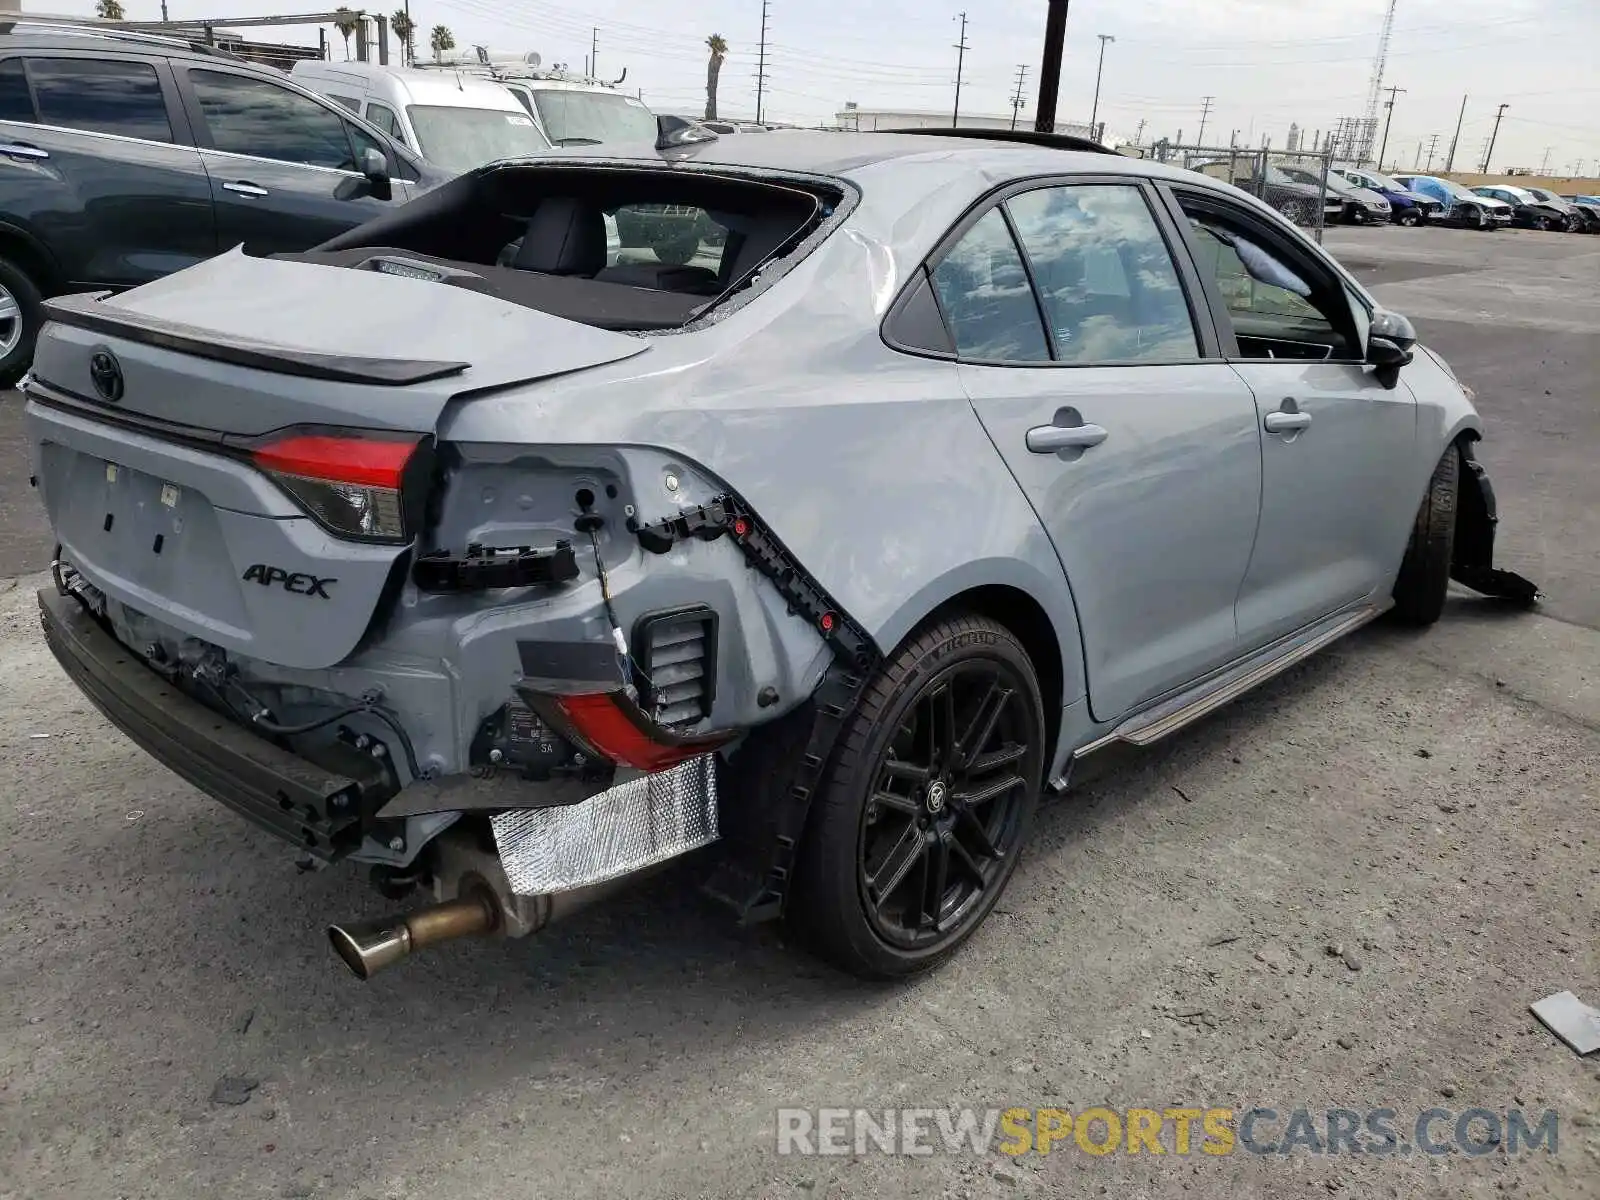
(98, 164)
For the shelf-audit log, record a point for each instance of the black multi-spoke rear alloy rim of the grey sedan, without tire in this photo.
(945, 815)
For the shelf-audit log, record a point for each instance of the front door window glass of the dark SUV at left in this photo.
(255, 118)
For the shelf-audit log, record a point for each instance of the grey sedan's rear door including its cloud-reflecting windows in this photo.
(1138, 452)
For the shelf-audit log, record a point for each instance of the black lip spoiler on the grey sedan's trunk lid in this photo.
(89, 311)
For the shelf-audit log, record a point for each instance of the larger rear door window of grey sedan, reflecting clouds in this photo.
(1105, 274)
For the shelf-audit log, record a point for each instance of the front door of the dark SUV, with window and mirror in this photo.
(286, 169)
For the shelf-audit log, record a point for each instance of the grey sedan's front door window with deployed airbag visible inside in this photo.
(1278, 311)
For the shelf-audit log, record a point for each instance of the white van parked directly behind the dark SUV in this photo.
(452, 119)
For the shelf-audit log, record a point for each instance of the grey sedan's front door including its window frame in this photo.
(1338, 482)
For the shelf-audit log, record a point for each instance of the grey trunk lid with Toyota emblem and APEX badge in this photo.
(140, 407)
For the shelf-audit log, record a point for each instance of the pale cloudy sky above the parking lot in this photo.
(1266, 63)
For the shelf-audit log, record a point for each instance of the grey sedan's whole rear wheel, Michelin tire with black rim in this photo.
(882, 822)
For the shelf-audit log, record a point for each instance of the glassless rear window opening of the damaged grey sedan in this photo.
(630, 249)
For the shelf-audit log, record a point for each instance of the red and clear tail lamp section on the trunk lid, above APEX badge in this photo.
(354, 486)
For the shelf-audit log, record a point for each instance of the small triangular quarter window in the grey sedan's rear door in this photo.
(986, 298)
